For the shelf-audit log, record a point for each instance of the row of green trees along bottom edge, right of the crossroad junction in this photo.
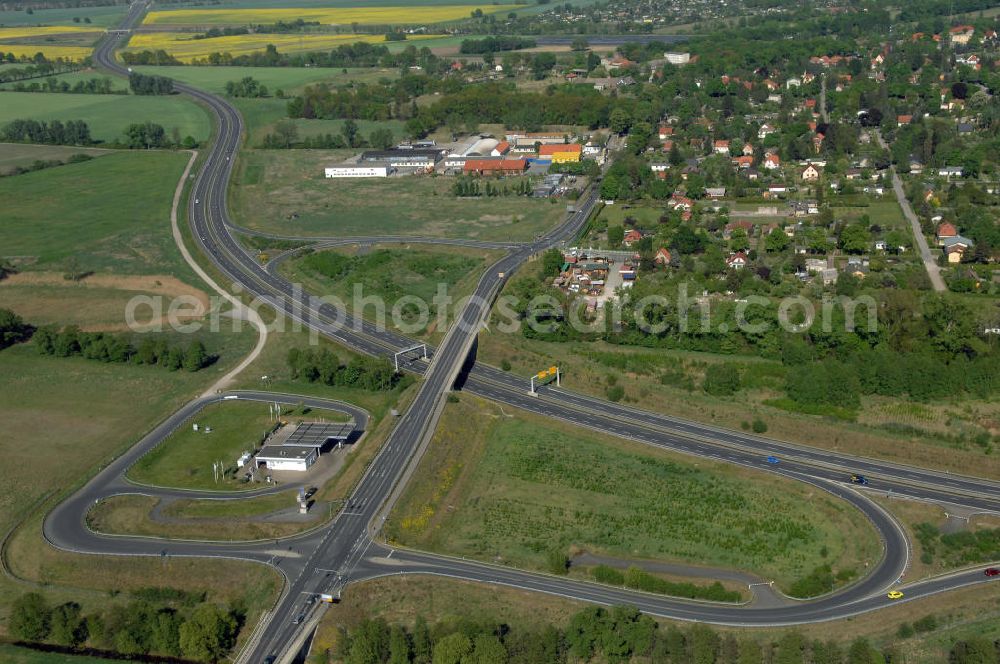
(618, 634)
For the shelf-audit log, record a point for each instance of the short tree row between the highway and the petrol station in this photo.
(323, 366)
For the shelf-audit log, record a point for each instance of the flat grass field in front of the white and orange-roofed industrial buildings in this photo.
(272, 185)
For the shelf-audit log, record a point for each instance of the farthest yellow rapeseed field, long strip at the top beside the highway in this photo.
(325, 16)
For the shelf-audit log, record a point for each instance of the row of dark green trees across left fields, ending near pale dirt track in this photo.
(70, 341)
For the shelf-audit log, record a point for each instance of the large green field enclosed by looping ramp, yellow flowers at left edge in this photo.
(513, 490)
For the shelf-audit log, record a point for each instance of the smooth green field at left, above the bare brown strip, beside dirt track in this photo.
(111, 214)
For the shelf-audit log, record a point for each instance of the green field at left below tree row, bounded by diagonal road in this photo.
(77, 413)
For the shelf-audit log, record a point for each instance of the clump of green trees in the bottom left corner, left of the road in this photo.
(156, 622)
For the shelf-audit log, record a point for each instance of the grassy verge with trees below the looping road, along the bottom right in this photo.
(541, 629)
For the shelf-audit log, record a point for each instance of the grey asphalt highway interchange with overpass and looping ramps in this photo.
(347, 549)
